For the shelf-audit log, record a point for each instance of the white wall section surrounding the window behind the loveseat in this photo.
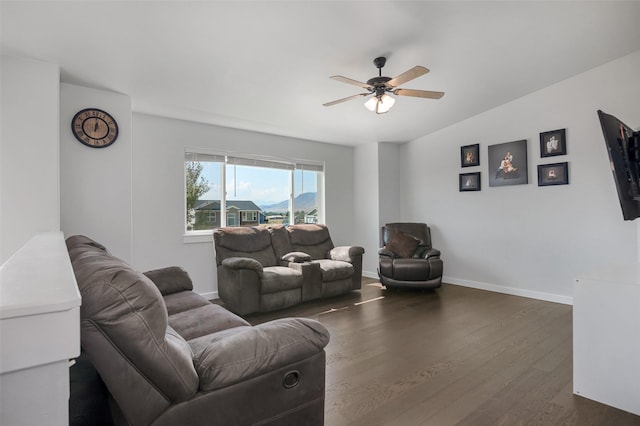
(158, 189)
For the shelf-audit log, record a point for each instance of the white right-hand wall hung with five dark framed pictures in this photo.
(526, 239)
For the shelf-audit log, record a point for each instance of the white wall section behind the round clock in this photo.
(95, 183)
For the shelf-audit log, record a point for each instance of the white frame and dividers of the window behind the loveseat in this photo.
(293, 165)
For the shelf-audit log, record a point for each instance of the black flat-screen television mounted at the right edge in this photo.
(623, 145)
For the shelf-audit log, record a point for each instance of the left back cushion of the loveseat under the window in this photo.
(244, 241)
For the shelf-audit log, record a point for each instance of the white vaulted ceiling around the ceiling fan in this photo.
(265, 65)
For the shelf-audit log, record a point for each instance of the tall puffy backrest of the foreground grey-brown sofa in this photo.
(124, 309)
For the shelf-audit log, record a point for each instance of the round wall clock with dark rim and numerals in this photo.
(94, 128)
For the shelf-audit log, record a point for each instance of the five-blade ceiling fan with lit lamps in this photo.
(379, 86)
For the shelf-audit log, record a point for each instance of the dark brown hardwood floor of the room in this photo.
(453, 356)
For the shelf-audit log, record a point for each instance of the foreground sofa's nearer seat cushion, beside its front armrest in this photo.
(204, 320)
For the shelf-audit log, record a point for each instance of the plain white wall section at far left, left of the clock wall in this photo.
(29, 201)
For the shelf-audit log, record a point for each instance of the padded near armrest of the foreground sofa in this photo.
(223, 359)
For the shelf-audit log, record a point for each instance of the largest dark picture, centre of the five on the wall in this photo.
(508, 163)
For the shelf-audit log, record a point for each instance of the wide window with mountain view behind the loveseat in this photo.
(223, 190)
